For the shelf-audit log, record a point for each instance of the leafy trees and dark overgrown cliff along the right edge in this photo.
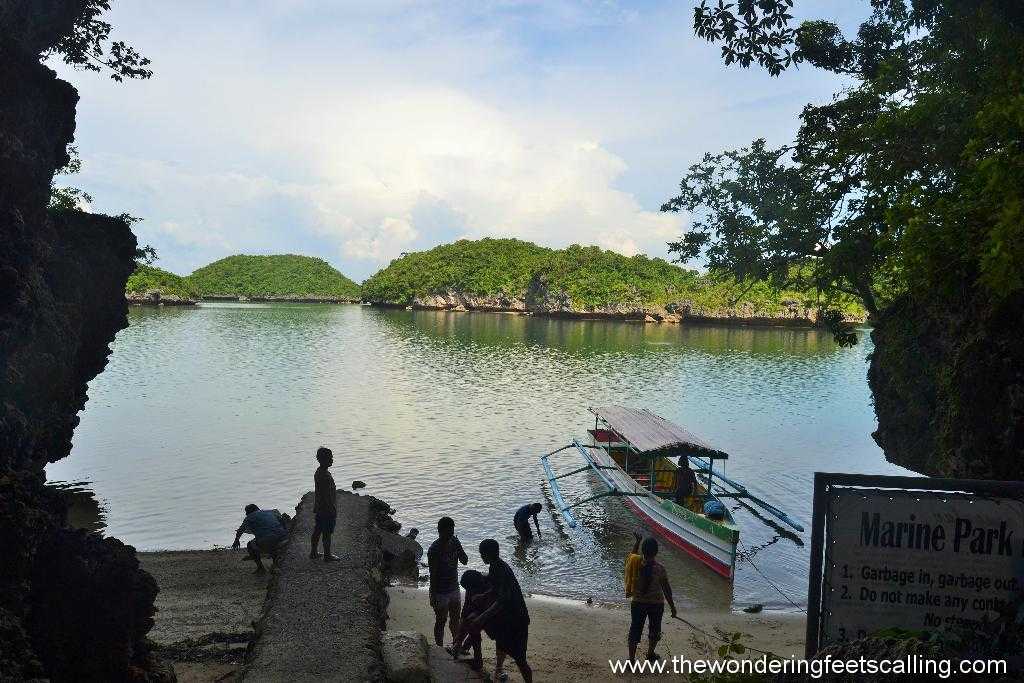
(905, 190)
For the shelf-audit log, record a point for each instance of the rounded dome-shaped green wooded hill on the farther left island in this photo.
(274, 277)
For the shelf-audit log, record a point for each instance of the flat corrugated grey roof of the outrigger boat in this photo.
(650, 434)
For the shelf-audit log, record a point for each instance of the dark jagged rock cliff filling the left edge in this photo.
(71, 606)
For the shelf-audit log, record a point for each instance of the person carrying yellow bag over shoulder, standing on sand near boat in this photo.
(648, 585)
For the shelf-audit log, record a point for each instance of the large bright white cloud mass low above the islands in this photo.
(371, 161)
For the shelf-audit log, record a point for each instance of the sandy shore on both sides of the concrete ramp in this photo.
(209, 602)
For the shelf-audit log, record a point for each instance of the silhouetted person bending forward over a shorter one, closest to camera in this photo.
(506, 620)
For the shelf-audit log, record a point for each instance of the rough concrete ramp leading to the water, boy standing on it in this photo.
(323, 622)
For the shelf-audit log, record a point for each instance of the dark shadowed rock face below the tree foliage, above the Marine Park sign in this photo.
(949, 388)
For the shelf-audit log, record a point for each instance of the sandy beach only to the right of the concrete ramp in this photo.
(573, 642)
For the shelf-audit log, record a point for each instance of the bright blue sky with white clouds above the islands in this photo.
(357, 131)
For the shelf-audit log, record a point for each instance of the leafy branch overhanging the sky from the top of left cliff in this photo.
(89, 47)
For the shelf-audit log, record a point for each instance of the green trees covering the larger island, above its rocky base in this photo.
(590, 278)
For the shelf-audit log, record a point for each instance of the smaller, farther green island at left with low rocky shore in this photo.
(276, 278)
